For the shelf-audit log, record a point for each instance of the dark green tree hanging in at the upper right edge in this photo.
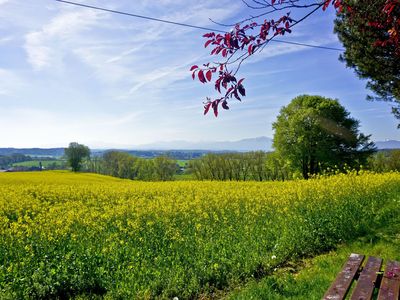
(360, 30)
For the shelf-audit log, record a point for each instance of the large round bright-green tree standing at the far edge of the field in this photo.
(315, 133)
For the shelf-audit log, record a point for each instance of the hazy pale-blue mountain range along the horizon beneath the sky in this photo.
(251, 144)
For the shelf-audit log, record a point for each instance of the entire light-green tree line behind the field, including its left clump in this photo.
(249, 166)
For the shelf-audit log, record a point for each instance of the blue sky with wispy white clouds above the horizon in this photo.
(70, 73)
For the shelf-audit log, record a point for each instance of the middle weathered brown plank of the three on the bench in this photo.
(367, 281)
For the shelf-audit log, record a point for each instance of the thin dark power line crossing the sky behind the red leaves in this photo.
(187, 25)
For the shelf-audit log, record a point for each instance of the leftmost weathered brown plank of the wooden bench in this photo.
(341, 286)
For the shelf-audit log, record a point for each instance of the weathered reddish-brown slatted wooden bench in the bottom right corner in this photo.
(369, 278)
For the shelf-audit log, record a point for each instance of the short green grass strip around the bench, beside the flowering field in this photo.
(310, 278)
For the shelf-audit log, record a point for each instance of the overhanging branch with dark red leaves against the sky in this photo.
(251, 35)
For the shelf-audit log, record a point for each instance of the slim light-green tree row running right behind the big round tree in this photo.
(264, 166)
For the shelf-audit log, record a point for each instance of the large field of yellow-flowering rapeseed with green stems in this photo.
(86, 235)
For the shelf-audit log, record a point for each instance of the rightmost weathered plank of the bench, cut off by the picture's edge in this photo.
(390, 285)
